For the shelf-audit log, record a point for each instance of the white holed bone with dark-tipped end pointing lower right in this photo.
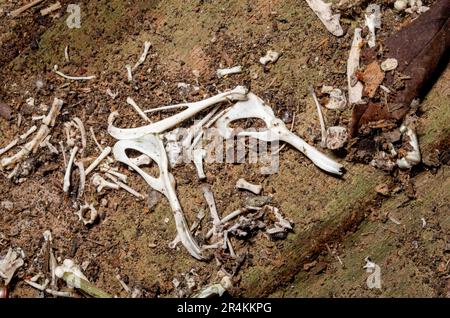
(254, 107)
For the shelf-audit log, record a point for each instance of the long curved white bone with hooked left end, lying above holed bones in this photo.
(238, 93)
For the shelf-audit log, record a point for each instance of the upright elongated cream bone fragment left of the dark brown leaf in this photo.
(355, 87)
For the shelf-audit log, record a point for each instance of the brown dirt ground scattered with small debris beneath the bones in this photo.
(338, 222)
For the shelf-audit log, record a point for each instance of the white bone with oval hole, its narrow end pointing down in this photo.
(153, 147)
